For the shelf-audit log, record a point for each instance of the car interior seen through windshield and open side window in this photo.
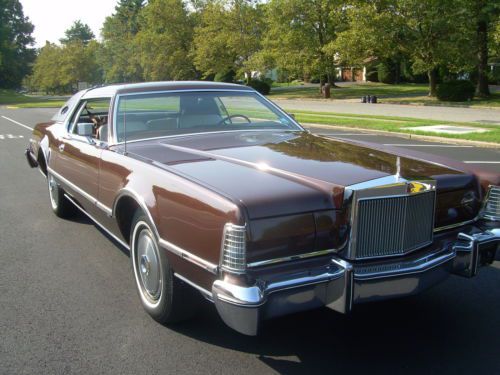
(154, 115)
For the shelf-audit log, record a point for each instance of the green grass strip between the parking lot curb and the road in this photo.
(395, 124)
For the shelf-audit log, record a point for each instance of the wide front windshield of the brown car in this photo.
(161, 114)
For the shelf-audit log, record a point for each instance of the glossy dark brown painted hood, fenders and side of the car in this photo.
(286, 186)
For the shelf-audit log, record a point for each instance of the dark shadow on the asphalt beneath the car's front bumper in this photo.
(454, 328)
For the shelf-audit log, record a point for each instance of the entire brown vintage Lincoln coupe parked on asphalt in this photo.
(217, 191)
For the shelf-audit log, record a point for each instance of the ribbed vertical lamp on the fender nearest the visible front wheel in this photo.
(234, 248)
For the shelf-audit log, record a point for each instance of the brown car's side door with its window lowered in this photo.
(78, 154)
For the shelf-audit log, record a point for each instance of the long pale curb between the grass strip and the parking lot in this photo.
(408, 135)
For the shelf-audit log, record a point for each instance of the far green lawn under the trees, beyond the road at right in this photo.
(404, 93)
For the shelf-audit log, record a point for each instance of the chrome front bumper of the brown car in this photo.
(340, 284)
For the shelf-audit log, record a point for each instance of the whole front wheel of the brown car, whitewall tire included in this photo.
(166, 298)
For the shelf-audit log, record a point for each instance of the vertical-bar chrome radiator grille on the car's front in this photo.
(394, 225)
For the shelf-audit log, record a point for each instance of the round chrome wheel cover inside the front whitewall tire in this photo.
(147, 266)
